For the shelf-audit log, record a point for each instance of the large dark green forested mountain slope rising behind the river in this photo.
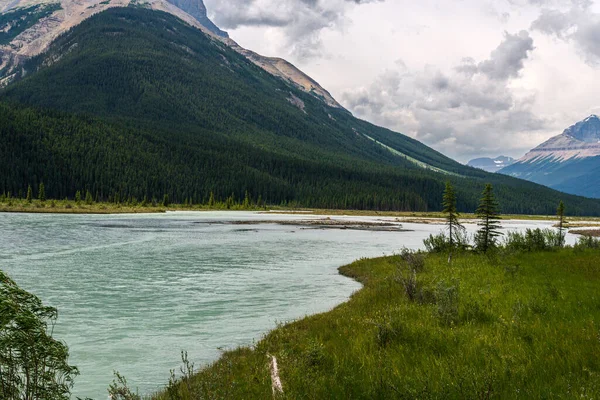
(136, 102)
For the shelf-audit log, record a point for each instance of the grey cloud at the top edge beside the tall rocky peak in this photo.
(301, 21)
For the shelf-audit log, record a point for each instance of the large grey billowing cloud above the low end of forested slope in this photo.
(467, 112)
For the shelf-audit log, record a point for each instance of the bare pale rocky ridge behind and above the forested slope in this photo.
(42, 27)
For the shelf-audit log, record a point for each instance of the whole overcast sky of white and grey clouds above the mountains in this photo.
(469, 78)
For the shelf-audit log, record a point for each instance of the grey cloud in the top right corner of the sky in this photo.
(579, 25)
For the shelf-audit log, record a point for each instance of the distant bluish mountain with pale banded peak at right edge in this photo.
(569, 162)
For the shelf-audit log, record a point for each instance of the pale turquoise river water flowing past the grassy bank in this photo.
(134, 290)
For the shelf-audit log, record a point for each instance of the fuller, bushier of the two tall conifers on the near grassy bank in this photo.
(489, 220)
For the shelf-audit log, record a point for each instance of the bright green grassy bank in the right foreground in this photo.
(514, 326)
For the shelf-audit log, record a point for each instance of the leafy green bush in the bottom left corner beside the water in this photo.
(33, 365)
